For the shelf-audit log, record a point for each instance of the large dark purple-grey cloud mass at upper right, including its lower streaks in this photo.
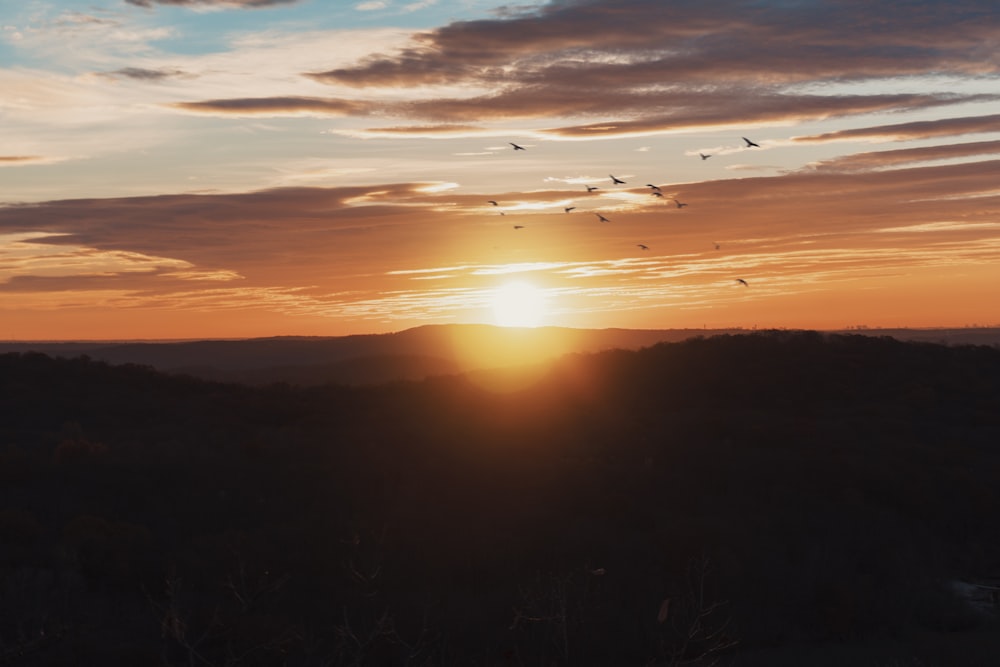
(645, 65)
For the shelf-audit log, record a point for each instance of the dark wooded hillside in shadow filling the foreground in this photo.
(708, 499)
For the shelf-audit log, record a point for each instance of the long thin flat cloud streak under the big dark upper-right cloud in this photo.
(641, 112)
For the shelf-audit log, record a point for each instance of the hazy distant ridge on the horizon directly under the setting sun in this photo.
(412, 354)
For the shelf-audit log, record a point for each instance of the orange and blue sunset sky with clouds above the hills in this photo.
(177, 169)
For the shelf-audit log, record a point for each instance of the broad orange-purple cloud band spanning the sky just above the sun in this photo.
(369, 252)
